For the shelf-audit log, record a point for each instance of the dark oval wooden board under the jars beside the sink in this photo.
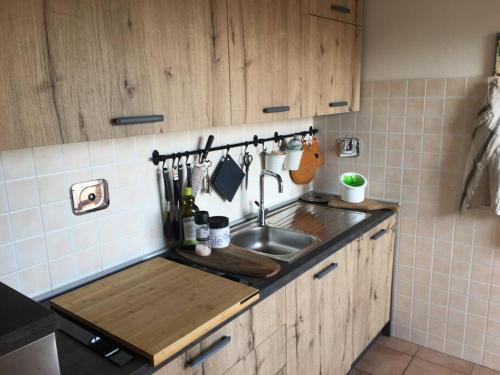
(235, 260)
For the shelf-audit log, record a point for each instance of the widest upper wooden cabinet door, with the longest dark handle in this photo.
(114, 58)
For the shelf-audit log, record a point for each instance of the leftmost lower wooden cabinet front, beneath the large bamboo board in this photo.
(239, 339)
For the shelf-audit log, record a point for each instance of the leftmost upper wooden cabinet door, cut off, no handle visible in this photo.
(29, 117)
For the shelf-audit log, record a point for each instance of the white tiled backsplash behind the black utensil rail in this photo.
(43, 246)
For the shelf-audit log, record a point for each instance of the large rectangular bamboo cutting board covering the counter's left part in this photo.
(158, 307)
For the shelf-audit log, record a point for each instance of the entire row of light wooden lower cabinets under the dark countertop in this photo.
(317, 324)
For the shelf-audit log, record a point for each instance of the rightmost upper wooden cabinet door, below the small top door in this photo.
(331, 67)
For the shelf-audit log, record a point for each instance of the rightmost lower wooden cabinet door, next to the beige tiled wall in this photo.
(372, 271)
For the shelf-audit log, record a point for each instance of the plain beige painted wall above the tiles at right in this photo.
(429, 38)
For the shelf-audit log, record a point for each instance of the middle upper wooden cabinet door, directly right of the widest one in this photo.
(264, 50)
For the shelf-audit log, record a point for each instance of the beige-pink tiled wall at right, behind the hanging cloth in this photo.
(415, 136)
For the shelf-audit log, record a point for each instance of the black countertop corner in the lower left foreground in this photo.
(22, 320)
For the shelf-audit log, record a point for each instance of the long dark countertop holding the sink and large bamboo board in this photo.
(75, 358)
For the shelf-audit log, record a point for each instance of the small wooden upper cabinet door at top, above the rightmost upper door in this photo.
(350, 11)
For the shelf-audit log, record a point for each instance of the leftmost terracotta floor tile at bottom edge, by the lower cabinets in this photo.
(380, 360)
